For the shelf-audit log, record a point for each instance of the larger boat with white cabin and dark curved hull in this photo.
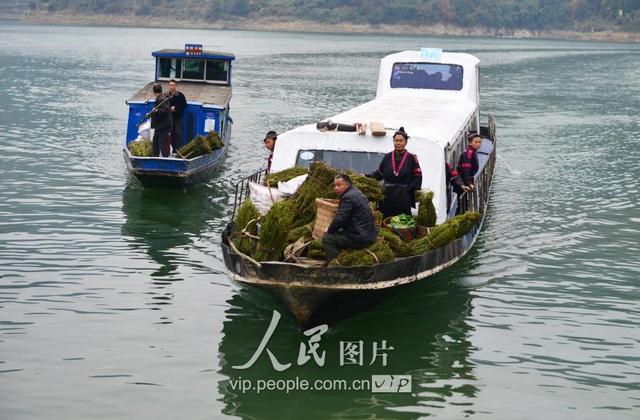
(437, 111)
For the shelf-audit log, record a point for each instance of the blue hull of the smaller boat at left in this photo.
(157, 172)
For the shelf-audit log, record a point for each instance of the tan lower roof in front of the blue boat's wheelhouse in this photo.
(195, 92)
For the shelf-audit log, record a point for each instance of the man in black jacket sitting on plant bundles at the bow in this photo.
(353, 225)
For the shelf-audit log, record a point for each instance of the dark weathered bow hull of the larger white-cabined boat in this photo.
(325, 295)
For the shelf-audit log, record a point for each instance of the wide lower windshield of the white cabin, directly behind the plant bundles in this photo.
(359, 162)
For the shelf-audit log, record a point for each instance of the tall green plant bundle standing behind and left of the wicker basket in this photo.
(319, 184)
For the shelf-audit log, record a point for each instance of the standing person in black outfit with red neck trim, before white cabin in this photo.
(402, 176)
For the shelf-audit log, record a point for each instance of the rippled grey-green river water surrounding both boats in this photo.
(114, 302)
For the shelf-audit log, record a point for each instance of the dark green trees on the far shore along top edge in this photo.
(509, 14)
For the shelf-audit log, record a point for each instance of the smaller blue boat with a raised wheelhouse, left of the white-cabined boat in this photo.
(204, 77)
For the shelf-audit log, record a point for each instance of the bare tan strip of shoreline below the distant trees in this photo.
(307, 26)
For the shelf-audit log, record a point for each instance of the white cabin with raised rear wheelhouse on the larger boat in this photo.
(434, 95)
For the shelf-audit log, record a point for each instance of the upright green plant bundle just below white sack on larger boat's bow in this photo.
(274, 231)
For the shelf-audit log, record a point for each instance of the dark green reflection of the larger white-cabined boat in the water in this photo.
(426, 324)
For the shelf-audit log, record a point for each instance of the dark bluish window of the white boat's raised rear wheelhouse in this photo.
(426, 76)
